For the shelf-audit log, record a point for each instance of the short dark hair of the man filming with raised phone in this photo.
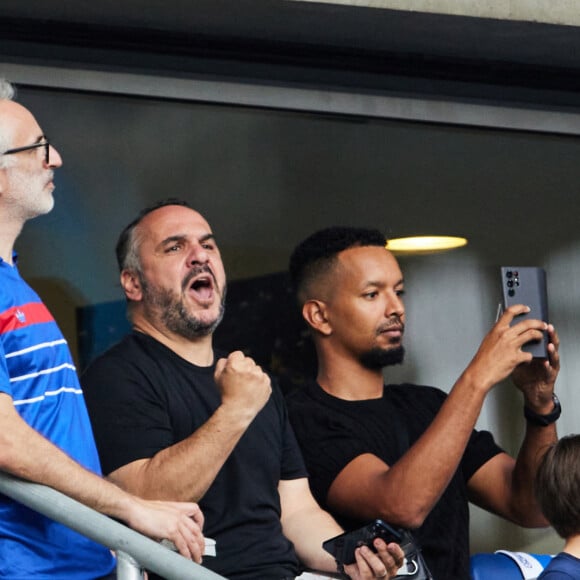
(318, 253)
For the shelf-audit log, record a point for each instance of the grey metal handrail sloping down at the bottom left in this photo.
(134, 551)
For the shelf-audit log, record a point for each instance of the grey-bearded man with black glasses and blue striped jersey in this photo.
(45, 433)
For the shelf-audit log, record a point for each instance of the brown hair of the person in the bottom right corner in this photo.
(557, 483)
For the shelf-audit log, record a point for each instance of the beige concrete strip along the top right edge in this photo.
(548, 12)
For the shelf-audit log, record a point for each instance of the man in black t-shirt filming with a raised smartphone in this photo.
(406, 453)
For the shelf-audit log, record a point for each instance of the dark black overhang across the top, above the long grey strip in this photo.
(325, 44)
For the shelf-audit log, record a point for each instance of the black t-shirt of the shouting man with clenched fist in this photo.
(142, 398)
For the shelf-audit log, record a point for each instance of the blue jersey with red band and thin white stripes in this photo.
(37, 371)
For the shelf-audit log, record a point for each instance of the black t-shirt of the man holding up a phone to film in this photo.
(332, 432)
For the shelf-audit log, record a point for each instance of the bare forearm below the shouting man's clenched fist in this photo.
(185, 471)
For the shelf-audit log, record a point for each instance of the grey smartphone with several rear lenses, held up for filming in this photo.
(527, 285)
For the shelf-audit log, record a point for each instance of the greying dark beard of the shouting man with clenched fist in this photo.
(170, 310)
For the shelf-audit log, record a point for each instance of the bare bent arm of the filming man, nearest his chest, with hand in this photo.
(405, 493)
